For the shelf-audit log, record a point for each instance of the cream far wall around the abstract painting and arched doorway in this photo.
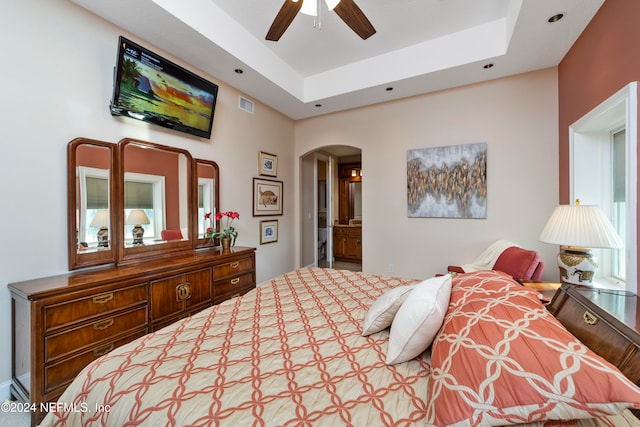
(517, 117)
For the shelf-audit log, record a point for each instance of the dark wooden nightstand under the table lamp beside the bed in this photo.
(606, 321)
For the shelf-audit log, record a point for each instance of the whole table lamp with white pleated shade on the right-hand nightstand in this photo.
(577, 229)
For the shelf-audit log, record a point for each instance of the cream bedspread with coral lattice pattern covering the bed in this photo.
(289, 353)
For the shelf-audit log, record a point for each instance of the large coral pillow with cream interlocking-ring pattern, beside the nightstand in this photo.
(501, 358)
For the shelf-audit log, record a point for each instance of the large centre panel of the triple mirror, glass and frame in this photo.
(155, 189)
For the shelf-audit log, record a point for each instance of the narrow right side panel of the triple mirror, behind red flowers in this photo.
(207, 199)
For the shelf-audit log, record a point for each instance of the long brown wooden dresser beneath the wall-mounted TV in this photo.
(62, 323)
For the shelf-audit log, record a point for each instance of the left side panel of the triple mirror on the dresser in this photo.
(90, 204)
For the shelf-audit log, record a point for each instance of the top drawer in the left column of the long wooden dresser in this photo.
(84, 308)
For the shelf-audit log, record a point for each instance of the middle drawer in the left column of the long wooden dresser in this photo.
(71, 340)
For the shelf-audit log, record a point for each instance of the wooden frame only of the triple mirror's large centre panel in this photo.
(130, 254)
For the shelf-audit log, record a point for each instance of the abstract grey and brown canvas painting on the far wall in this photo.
(447, 182)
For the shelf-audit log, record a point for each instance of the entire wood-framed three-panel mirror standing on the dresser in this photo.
(134, 200)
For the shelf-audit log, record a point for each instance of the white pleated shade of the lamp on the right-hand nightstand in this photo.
(583, 226)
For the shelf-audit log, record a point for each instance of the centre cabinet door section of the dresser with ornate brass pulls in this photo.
(181, 292)
